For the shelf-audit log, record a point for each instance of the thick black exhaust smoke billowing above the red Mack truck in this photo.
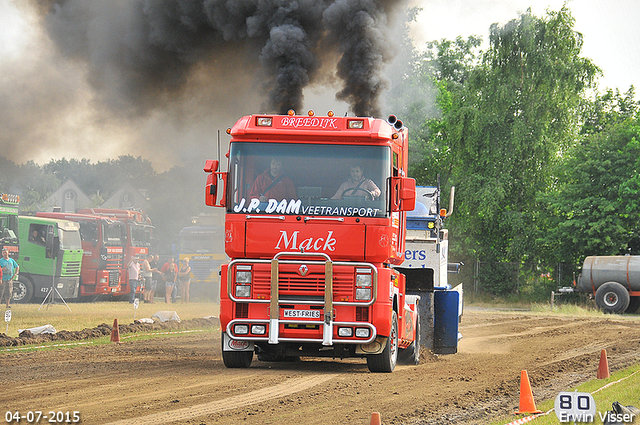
(141, 54)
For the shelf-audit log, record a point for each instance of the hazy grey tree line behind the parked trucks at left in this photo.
(175, 196)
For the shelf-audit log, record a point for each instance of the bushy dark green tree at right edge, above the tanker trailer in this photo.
(595, 207)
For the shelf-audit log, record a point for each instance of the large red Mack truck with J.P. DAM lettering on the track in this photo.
(315, 220)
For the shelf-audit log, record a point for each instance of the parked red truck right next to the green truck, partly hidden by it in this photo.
(103, 246)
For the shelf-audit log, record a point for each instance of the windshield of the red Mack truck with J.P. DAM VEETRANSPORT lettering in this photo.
(309, 179)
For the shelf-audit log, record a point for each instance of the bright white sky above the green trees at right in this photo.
(610, 28)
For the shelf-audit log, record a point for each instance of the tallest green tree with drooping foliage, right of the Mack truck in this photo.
(515, 112)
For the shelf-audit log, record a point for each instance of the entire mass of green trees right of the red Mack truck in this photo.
(546, 166)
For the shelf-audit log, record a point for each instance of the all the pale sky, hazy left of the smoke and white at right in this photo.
(49, 111)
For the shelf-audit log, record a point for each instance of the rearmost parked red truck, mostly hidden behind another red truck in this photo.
(138, 236)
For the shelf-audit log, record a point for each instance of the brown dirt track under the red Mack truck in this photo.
(182, 380)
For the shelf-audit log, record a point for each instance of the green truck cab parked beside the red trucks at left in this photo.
(50, 256)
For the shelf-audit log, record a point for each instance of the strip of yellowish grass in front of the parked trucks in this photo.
(90, 315)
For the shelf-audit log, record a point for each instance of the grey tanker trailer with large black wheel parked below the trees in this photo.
(613, 280)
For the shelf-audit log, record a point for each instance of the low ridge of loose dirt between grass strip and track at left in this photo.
(103, 329)
